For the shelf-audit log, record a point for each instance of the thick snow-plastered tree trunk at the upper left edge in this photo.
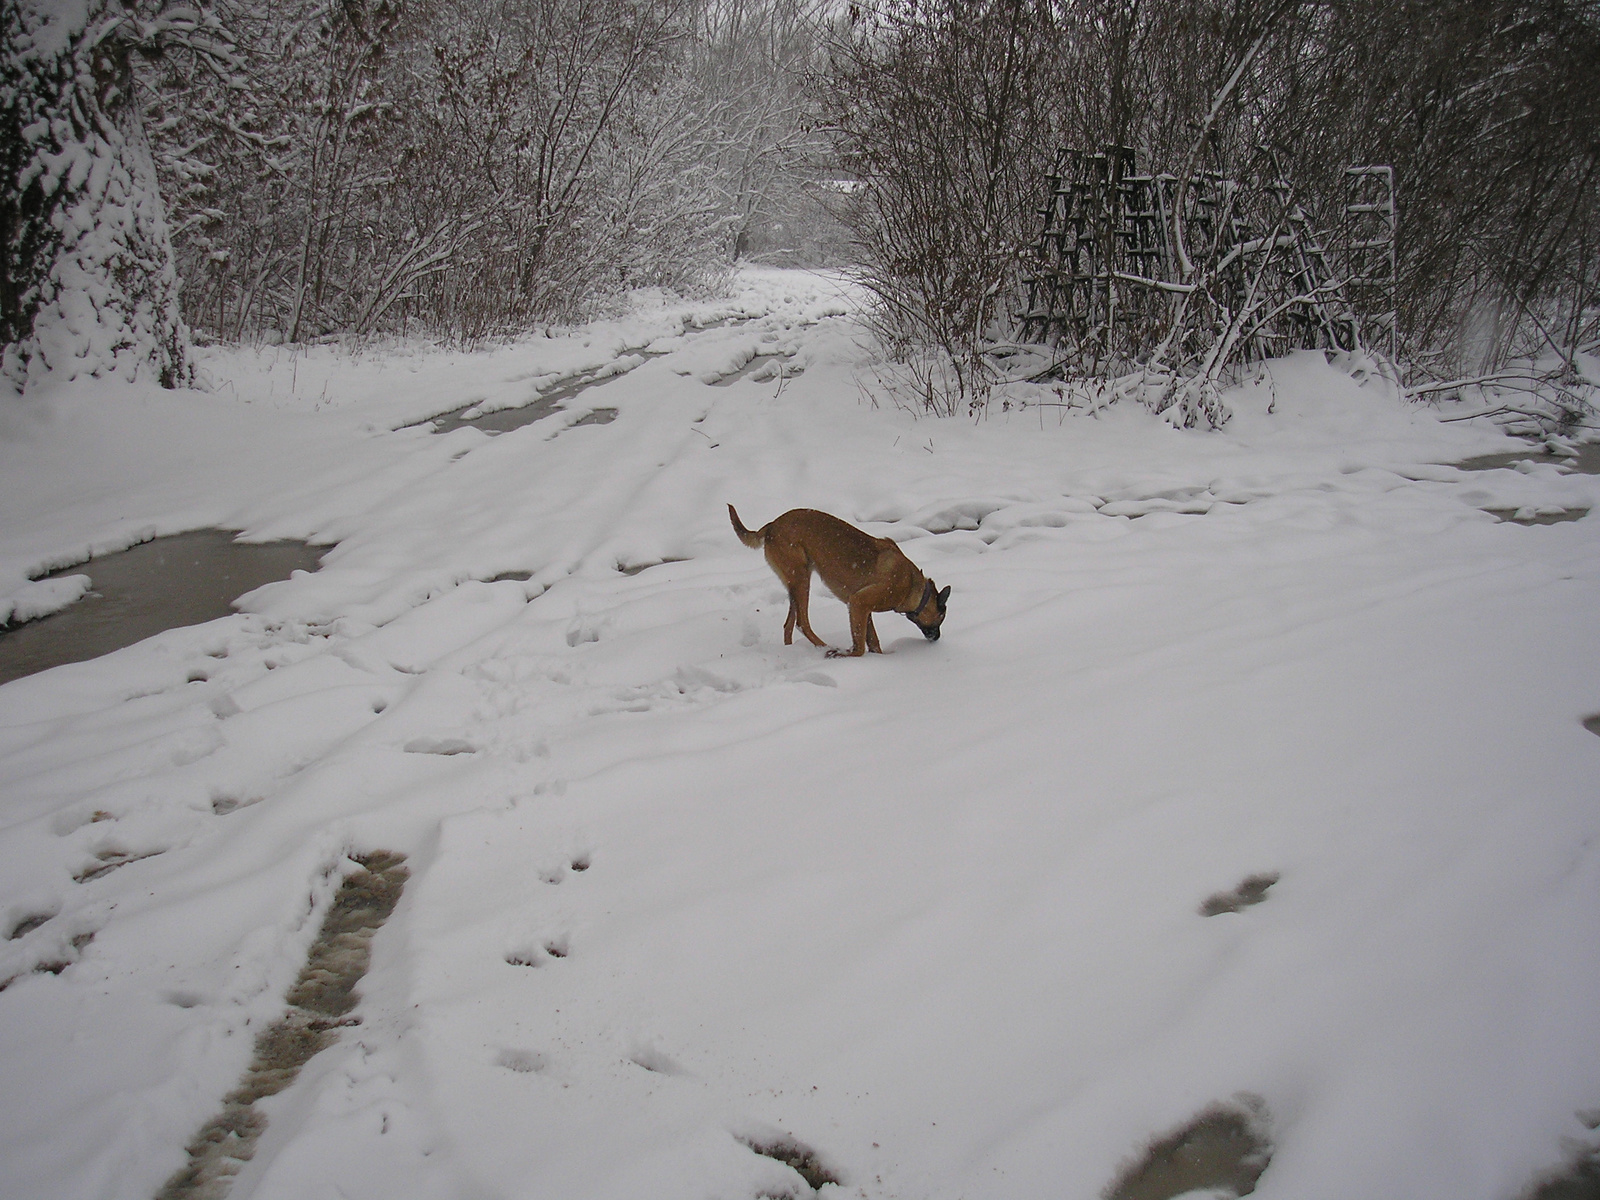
(89, 286)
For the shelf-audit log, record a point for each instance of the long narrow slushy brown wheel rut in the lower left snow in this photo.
(319, 1006)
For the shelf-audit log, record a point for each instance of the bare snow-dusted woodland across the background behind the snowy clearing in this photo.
(471, 170)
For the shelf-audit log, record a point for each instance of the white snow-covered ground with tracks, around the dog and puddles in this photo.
(678, 887)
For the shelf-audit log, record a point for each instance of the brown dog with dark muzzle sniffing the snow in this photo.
(868, 574)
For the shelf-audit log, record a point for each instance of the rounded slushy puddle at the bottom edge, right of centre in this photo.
(1222, 1153)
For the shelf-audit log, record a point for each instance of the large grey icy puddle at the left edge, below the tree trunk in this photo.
(138, 593)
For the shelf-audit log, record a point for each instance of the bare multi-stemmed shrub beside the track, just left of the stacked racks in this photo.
(943, 111)
